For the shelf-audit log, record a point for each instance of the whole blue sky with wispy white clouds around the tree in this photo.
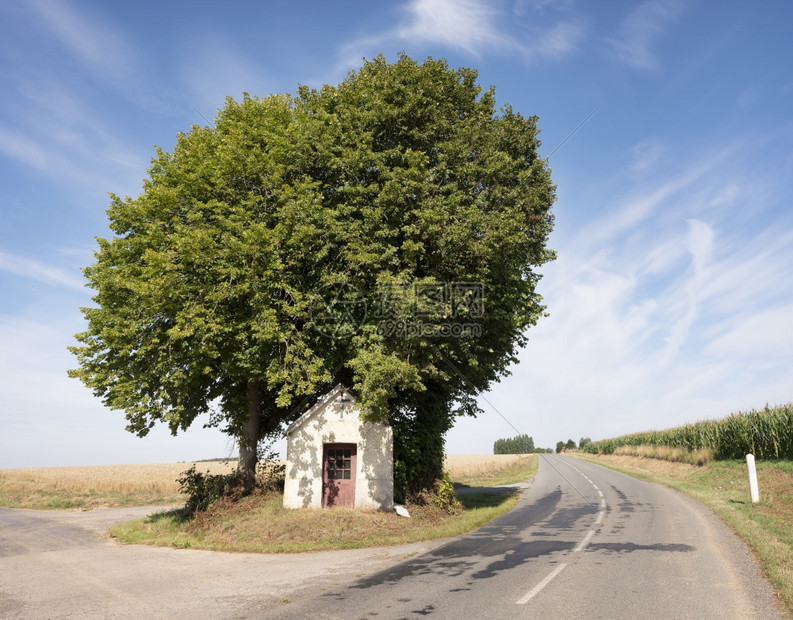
(672, 296)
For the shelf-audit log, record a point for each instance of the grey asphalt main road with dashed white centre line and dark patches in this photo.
(584, 542)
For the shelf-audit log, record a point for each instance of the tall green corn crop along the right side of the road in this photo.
(768, 434)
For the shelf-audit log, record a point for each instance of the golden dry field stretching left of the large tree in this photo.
(97, 486)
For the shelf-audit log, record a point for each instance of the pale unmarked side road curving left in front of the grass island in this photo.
(61, 564)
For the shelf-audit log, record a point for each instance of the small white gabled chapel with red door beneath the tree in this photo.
(333, 458)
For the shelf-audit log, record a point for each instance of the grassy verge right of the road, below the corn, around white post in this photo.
(723, 486)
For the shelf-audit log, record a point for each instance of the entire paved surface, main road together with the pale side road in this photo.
(583, 542)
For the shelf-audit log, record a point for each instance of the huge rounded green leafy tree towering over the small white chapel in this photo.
(385, 232)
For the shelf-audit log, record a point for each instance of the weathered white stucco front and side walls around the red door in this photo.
(336, 419)
